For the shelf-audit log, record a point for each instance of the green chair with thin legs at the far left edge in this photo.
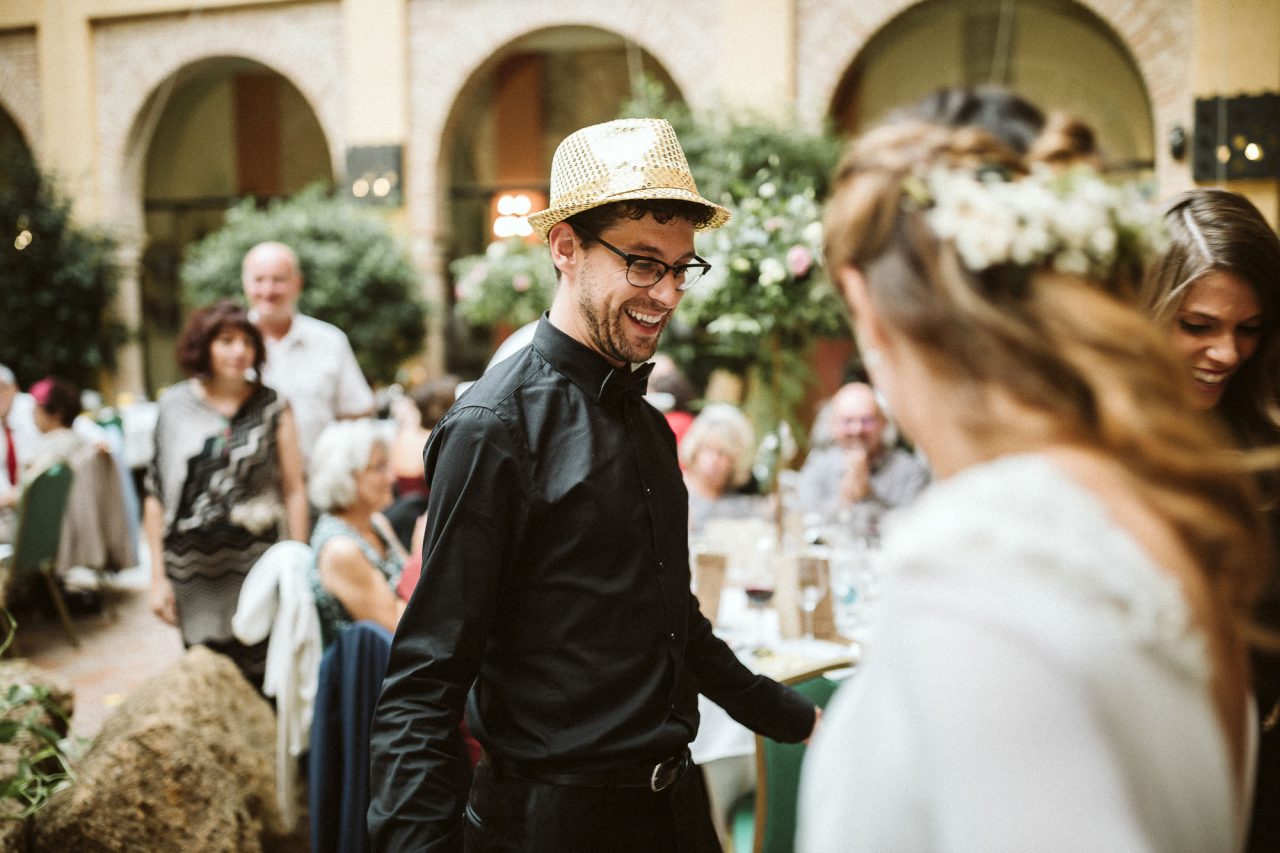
(40, 526)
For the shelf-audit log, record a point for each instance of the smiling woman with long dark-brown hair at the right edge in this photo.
(1215, 290)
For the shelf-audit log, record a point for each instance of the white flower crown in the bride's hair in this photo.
(1071, 222)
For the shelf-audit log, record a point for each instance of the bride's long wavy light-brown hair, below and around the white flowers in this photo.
(1060, 345)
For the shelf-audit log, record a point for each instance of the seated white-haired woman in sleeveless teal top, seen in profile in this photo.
(358, 556)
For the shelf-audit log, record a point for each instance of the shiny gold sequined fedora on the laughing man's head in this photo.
(620, 161)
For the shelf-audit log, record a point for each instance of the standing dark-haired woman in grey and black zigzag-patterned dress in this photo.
(227, 475)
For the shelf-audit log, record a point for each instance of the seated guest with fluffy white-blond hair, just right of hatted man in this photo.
(717, 458)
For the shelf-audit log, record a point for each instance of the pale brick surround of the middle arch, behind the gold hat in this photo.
(477, 31)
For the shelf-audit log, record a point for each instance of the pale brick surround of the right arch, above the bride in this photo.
(1158, 34)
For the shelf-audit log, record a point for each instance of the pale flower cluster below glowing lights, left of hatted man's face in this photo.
(510, 285)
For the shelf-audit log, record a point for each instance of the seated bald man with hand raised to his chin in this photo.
(860, 475)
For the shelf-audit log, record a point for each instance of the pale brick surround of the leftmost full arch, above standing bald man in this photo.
(138, 62)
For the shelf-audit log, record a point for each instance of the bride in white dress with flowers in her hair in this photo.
(1055, 662)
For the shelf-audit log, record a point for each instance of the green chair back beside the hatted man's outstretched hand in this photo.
(778, 769)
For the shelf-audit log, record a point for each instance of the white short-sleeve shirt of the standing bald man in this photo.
(314, 368)
